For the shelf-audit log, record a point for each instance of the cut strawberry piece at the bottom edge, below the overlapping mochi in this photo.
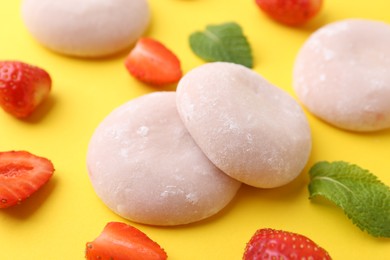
(120, 241)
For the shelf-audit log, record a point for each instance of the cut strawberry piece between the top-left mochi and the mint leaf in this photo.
(151, 62)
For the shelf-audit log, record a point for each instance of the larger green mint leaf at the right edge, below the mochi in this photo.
(364, 199)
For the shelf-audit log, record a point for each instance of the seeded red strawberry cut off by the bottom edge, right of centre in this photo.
(276, 244)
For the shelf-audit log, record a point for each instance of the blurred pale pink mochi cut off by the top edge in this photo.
(86, 28)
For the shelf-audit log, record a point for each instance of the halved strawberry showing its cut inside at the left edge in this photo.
(21, 174)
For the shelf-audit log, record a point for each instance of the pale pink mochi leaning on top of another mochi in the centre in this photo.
(250, 129)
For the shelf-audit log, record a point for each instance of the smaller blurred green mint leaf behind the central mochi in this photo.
(225, 42)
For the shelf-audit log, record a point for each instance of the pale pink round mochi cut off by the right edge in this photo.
(342, 74)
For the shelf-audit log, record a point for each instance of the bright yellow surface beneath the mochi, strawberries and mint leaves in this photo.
(57, 221)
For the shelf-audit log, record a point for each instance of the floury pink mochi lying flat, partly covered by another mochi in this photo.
(145, 166)
